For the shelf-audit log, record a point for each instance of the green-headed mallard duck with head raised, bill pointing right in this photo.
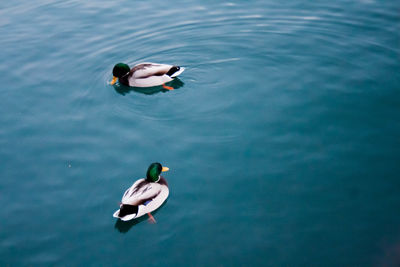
(145, 195)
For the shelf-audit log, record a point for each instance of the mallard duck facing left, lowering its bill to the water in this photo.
(145, 74)
